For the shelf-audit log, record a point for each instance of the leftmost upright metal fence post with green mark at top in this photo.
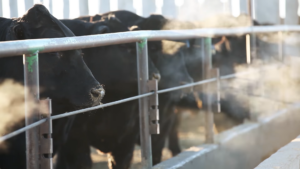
(31, 83)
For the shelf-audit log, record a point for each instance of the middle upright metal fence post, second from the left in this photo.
(145, 137)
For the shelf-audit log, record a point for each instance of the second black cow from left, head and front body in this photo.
(114, 129)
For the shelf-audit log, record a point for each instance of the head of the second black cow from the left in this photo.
(119, 60)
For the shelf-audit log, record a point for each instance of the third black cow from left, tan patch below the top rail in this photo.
(170, 62)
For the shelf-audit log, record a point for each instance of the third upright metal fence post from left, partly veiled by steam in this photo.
(207, 68)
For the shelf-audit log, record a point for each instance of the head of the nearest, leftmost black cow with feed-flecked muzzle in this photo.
(64, 75)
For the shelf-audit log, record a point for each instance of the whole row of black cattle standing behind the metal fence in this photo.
(78, 78)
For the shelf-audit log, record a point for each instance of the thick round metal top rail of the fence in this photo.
(21, 47)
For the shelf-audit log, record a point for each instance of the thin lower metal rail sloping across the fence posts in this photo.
(19, 131)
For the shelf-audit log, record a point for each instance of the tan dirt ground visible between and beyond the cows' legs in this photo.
(191, 133)
